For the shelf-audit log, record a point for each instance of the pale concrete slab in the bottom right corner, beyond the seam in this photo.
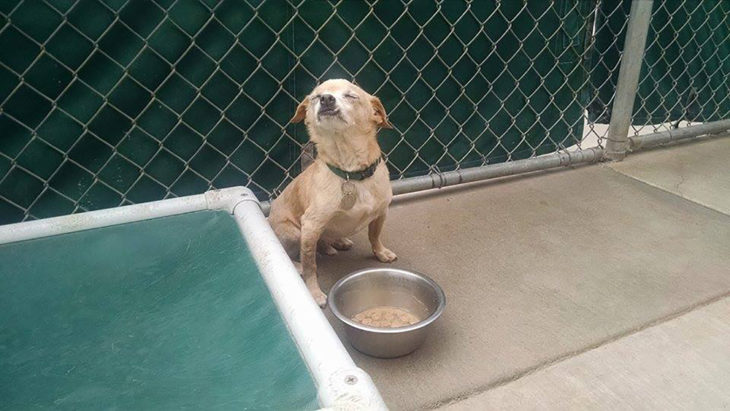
(678, 364)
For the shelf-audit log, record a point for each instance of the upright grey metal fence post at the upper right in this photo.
(628, 79)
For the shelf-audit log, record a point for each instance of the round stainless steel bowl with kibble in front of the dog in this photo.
(374, 287)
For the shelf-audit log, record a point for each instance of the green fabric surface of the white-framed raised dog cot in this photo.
(169, 313)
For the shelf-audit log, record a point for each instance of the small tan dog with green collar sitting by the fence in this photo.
(346, 188)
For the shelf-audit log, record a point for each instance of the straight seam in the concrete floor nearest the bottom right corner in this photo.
(564, 357)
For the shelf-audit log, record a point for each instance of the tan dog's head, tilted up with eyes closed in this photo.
(338, 105)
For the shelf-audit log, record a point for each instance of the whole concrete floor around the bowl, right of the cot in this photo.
(558, 283)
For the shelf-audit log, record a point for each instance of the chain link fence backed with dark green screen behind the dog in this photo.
(111, 102)
